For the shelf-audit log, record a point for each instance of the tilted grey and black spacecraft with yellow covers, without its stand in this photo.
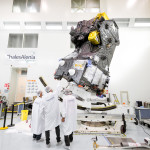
(87, 67)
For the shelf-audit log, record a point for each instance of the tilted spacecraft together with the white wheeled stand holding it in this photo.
(87, 71)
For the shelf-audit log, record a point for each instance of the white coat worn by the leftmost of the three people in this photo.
(37, 122)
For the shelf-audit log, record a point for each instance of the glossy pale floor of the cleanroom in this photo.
(17, 139)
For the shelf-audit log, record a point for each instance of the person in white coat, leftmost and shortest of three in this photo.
(37, 121)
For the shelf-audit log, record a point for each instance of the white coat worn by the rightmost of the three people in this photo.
(69, 112)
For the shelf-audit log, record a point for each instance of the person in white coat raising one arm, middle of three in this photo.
(51, 111)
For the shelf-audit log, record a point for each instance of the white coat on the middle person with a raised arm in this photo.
(50, 108)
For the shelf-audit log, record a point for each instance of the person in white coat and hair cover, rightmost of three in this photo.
(69, 117)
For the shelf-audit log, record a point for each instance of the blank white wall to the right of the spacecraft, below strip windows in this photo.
(129, 69)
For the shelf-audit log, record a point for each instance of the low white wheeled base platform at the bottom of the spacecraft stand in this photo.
(103, 123)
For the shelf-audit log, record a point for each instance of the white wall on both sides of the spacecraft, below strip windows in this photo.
(129, 69)
